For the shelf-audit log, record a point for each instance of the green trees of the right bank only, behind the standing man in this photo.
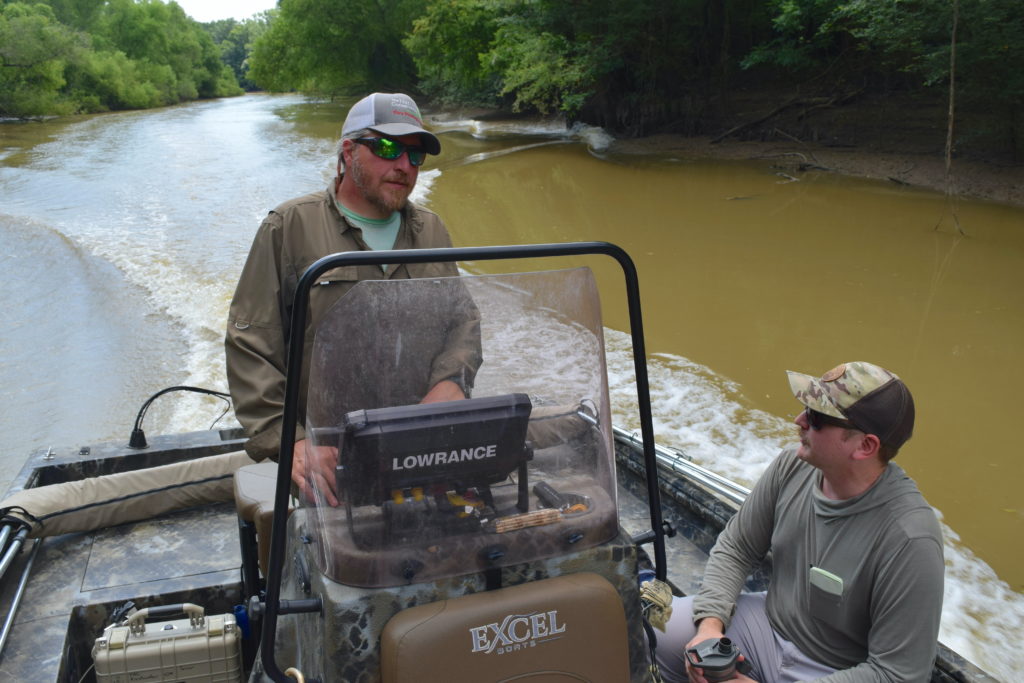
(642, 66)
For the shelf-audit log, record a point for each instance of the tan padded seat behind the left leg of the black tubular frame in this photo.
(254, 491)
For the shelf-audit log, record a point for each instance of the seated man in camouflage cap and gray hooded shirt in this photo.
(857, 551)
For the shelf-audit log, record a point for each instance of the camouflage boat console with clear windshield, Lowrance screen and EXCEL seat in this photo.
(479, 537)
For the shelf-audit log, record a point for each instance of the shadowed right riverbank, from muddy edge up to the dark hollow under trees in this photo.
(892, 137)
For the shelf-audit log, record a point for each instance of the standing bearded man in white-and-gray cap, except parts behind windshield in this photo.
(383, 144)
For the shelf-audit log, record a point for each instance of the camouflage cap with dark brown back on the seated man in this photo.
(874, 400)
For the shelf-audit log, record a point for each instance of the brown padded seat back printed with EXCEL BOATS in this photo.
(570, 628)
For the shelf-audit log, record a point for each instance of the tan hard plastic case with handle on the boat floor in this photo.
(197, 650)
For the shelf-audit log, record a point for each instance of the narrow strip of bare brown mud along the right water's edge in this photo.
(971, 179)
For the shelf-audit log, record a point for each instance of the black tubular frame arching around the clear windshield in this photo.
(298, 325)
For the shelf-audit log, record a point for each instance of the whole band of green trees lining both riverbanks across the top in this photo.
(631, 66)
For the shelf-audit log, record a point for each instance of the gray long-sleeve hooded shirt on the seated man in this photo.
(857, 584)
